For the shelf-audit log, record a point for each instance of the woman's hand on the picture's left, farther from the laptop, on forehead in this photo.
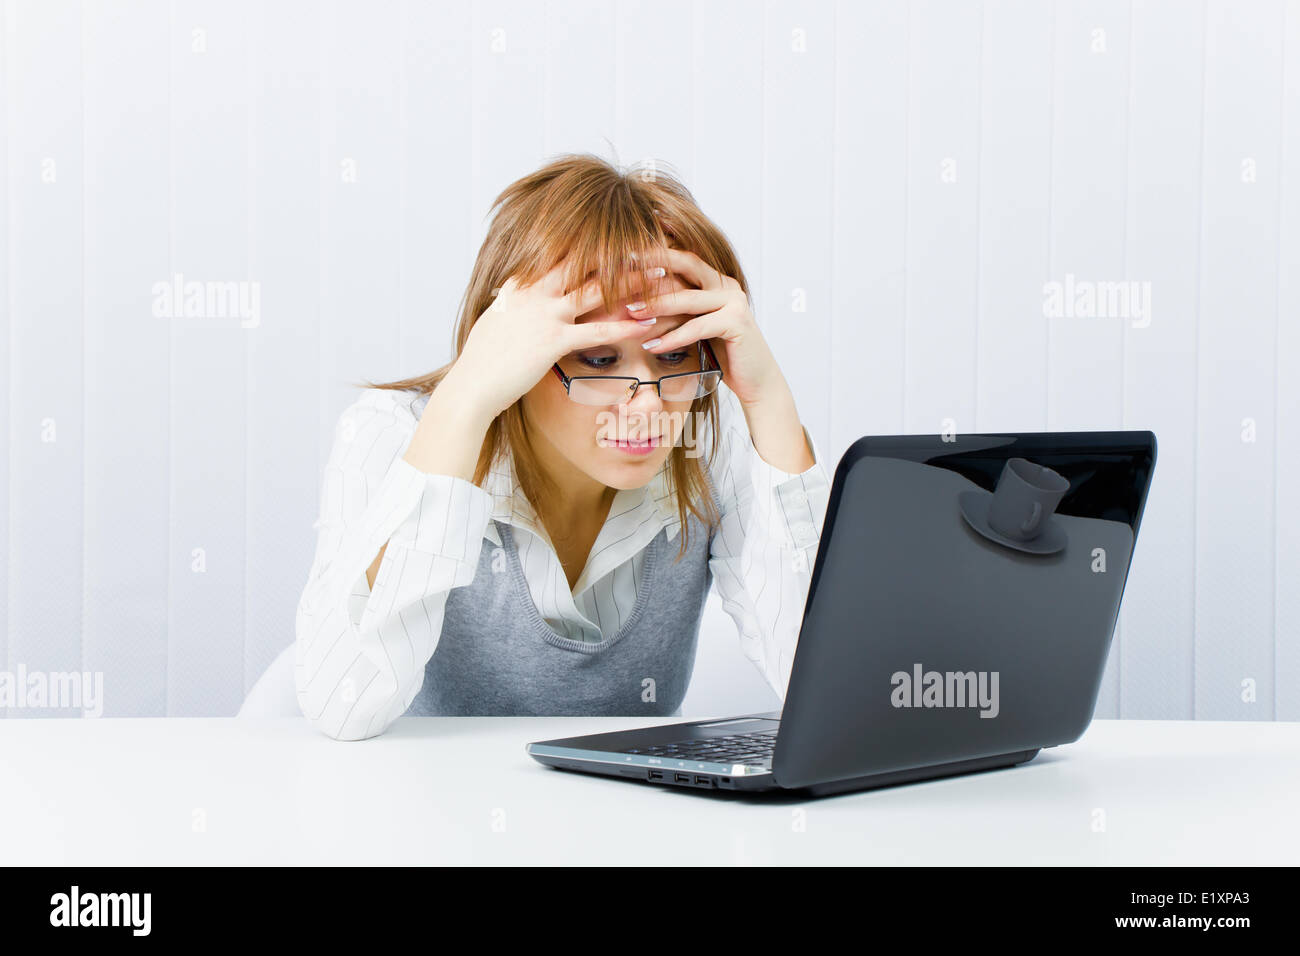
(527, 330)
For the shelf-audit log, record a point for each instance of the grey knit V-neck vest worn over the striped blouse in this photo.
(497, 656)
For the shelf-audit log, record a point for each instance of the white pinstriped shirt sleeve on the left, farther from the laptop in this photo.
(361, 656)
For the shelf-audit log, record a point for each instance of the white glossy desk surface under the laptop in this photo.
(157, 791)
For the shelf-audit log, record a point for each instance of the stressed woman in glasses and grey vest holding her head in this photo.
(499, 537)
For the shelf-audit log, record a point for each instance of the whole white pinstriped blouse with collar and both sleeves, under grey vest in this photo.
(361, 656)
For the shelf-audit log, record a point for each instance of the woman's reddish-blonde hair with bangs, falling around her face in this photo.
(580, 205)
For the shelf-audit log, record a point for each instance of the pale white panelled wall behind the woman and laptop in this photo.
(900, 180)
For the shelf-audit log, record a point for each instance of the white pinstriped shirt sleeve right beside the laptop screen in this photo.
(764, 553)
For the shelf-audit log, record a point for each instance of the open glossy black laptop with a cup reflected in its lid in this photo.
(959, 620)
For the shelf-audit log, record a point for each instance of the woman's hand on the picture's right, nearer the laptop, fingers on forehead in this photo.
(723, 317)
